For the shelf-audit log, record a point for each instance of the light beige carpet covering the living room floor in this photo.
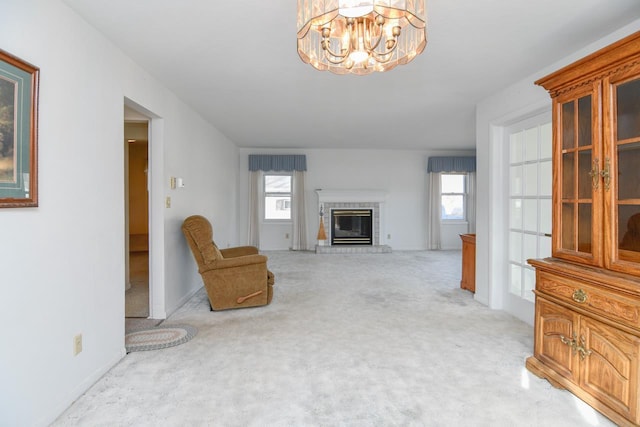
(349, 340)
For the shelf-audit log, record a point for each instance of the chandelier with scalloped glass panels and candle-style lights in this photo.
(360, 36)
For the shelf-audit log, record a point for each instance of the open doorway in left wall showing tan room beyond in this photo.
(137, 218)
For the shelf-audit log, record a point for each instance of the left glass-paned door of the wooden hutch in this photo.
(576, 236)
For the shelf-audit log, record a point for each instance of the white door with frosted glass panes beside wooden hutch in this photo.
(530, 184)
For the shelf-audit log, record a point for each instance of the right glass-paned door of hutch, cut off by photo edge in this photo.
(622, 178)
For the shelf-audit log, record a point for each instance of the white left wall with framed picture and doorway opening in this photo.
(63, 262)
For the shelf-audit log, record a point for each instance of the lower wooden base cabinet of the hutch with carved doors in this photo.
(586, 337)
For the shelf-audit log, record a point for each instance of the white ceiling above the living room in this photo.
(236, 63)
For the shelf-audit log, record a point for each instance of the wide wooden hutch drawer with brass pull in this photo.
(600, 301)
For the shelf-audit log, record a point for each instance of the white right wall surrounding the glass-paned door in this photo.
(516, 102)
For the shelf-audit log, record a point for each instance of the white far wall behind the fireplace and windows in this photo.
(401, 173)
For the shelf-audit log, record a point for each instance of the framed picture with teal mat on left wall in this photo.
(18, 132)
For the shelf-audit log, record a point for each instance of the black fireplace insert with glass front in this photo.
(351, 227)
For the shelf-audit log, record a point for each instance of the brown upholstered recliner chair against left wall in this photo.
(234, 277)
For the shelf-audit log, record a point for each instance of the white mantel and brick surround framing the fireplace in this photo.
(353, 199)
